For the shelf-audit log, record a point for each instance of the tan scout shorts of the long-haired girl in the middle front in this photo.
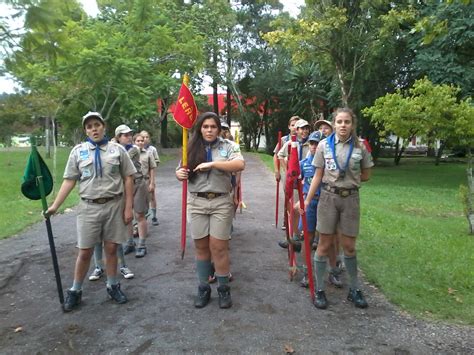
(210, 216)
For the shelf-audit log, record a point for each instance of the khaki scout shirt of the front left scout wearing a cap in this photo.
(116, 165)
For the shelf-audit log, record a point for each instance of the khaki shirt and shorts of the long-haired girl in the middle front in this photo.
(211, 207)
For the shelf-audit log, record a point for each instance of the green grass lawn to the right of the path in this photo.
(414, 243)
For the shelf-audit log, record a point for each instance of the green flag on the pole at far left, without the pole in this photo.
(30, 186)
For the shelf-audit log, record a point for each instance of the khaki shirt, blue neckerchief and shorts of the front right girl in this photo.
(339, 200)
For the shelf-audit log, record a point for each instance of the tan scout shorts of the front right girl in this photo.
(334, 210)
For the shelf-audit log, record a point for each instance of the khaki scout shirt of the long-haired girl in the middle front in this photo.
(216, 180)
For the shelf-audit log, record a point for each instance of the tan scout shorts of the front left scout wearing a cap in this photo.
(100, 222)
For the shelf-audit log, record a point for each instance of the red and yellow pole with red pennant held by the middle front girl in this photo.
(185, 114)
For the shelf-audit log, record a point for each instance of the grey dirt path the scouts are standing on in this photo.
(269, 312)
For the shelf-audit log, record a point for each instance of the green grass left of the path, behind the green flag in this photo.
(16, 211)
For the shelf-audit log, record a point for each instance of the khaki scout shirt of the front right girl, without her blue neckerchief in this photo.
(360, 159)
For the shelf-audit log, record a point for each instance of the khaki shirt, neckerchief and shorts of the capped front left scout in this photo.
(101, 191)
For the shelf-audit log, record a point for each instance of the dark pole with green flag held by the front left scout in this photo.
(37, 184)
